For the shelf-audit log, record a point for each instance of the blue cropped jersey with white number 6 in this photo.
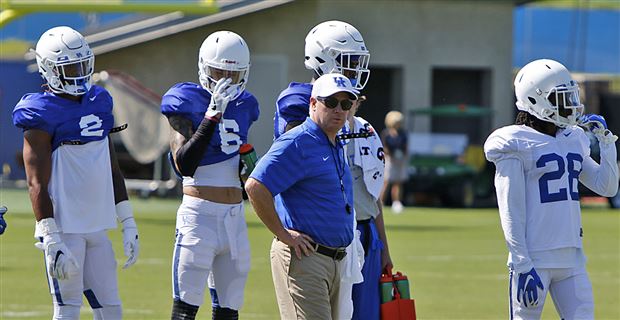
(190, 100)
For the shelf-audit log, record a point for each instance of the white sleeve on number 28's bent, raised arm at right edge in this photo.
(602, 178)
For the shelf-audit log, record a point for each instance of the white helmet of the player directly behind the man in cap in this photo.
(337, 47)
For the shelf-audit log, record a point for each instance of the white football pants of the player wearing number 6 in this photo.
(211, 238)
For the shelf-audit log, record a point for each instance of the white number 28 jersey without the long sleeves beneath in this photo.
(551, 167)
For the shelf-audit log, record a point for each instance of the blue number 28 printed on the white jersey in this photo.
(563, 166)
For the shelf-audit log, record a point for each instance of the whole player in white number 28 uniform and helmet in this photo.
(539, 163)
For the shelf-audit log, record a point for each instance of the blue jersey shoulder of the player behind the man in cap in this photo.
(293, 104)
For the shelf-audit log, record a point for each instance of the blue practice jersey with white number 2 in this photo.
(68, 121)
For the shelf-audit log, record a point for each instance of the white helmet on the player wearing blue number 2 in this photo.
(65, 61)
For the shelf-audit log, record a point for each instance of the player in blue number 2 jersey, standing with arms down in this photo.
(74, 180)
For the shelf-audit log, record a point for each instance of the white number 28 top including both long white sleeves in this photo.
(536, 182)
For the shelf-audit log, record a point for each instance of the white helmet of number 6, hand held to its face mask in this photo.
(224, 54)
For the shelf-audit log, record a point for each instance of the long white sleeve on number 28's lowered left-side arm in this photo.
(510, 188)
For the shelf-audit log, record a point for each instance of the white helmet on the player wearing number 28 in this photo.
(545, 89)
